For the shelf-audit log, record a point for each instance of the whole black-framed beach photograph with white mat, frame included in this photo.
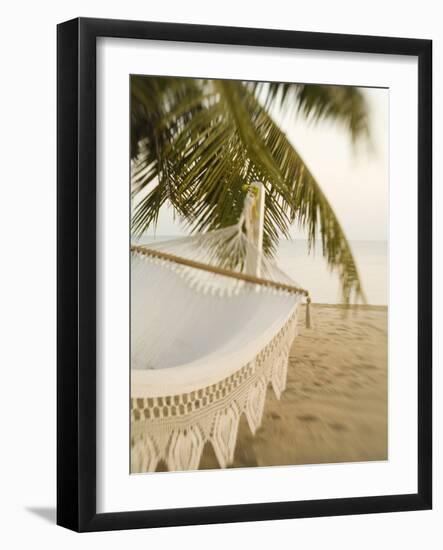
(244, 274)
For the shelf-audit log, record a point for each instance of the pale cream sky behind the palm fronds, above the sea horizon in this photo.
(354, 178)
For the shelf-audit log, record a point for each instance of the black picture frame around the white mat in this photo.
(76, 274)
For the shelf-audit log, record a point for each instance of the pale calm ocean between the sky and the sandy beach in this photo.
(311, 271)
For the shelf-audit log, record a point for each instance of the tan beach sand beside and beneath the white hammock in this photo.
(334, 408)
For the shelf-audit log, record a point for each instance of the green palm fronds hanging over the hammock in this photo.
(196, 143)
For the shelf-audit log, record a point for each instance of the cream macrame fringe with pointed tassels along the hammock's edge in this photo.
(175, 428)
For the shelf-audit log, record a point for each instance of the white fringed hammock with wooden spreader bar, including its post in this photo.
(212, 322)
